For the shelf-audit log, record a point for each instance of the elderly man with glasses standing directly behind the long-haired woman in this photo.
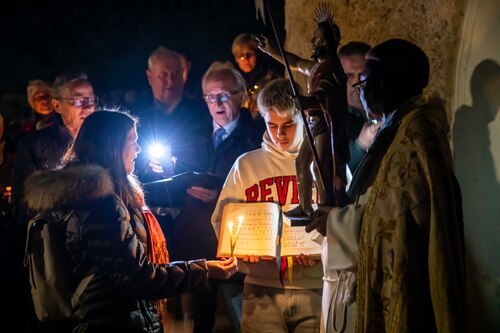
(73, 99)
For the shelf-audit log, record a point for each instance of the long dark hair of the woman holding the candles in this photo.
(101, 140)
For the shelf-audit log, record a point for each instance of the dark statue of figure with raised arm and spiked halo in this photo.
(326, 108)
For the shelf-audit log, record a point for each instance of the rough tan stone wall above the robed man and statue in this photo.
(434, 25)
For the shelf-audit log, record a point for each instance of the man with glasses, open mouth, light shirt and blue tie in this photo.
(233, 132)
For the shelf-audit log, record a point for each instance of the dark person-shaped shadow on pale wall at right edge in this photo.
(475, 169)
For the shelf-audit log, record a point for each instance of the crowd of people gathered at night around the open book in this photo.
(396, 233)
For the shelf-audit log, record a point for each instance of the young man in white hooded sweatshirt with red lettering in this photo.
(268, 174)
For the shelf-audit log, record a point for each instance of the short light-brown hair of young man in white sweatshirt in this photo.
(276, 96)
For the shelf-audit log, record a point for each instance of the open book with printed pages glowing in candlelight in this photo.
(264, 231)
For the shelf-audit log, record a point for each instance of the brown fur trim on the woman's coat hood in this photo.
(47, 190)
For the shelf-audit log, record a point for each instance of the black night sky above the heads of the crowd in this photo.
(111, 40)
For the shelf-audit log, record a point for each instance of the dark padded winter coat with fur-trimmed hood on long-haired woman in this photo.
(103, 233)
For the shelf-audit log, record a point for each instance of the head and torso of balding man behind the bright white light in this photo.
(173, 120)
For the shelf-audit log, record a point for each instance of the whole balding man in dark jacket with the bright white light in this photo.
(176, 125)
